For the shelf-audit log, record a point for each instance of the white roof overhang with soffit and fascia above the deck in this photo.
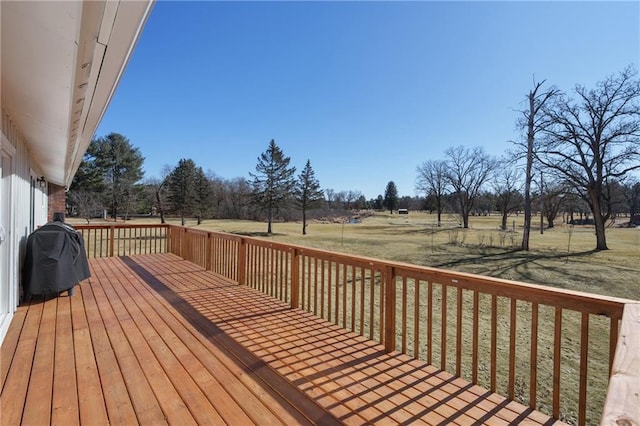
(60, 65)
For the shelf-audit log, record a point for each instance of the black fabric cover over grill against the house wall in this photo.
(55, 260)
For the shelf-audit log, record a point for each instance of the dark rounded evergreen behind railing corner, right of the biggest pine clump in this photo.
(181, 185)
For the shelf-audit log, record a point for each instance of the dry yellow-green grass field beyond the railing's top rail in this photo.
(562, 257)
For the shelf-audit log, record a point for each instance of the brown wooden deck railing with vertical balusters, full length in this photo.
(550, 348)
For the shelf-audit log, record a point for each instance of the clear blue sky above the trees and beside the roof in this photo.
(365, 90)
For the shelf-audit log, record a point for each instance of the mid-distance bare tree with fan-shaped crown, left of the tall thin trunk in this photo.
(468, 170)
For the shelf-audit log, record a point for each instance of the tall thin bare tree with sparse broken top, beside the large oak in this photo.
(534, 120)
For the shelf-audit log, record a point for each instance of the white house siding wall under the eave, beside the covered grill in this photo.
(25, 208)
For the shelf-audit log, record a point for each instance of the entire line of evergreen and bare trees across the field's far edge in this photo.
(577, 154)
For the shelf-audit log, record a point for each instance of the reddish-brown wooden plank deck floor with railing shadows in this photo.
(155, 339)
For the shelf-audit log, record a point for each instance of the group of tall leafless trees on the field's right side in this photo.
(584, 145)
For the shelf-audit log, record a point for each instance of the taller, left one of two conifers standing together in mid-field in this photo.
(273, 182)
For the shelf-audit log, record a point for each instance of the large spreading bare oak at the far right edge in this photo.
(594, 141)
